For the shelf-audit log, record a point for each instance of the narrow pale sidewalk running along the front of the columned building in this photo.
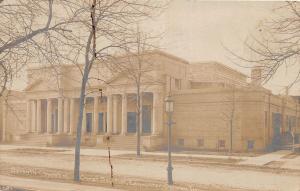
(260, 160)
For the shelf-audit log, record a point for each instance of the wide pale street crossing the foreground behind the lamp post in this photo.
(232, 176)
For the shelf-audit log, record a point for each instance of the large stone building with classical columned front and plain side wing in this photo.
(215, 108)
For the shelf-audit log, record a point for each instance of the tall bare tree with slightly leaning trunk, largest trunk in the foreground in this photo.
(106, 22)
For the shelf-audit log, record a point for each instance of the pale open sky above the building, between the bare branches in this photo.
(198, 30)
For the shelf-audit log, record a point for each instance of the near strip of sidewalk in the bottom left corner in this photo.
(33, 184)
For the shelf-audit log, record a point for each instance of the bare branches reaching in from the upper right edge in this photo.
(275, 43)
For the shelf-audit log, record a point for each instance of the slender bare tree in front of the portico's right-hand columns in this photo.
(137, 67)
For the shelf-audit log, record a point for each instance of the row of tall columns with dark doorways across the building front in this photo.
(111, 114)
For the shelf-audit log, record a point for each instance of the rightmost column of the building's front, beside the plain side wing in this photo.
(157, 113)
